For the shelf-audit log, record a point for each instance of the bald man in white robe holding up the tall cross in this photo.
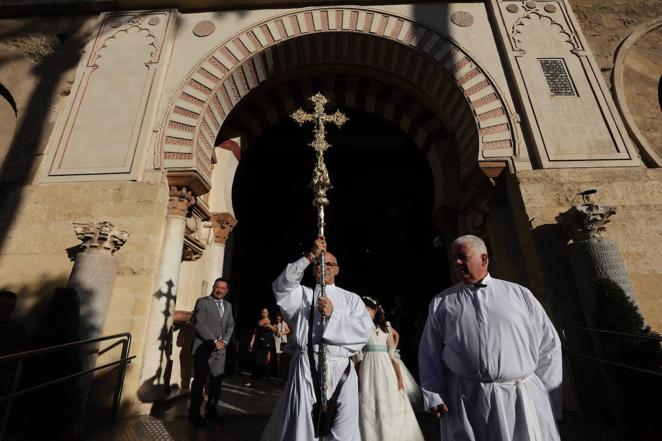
(347, 330)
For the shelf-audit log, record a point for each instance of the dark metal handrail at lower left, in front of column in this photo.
(125, 341)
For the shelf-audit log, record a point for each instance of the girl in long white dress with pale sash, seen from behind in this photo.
(385, 411)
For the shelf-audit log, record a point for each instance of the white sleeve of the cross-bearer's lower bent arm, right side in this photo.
(350, 327)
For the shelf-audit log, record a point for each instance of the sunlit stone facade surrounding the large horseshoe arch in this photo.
(116, 116)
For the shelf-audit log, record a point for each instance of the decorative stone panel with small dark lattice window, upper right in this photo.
(568, 109)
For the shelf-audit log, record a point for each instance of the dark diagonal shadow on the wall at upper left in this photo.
(51, 61)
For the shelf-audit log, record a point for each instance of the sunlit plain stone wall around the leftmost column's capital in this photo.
(40, 235)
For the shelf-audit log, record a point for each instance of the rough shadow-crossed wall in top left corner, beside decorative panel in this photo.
(38, 59)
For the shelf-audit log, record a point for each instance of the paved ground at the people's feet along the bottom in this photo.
(246, 411)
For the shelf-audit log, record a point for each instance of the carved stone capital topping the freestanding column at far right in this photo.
(586, 221)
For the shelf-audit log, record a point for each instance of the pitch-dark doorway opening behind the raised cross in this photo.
(379, 222)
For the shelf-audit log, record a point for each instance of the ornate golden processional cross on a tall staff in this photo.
(320, 184)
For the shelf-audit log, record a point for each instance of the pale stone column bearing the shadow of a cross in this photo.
(163, 300)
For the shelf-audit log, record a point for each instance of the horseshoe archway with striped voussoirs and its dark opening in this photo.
(411, 170)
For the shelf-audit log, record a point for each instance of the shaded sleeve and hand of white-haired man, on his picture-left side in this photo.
(430, 363)
